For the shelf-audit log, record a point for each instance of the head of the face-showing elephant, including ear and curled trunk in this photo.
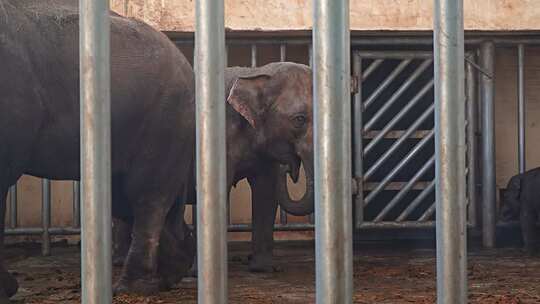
(276, 101)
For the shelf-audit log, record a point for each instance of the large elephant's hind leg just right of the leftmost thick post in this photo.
(140, 272)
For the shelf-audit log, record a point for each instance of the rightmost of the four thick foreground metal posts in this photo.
(450, 152)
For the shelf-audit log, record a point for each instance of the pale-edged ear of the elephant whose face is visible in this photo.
(246, 97)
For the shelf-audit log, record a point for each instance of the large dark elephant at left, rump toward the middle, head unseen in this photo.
(152, 113)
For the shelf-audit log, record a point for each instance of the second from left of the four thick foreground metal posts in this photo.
(211, 160)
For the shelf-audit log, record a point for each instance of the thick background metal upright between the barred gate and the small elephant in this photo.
(488, 146)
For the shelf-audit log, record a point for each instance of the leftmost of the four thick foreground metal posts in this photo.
(95, 114)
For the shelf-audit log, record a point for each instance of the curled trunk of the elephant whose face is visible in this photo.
(305, 205)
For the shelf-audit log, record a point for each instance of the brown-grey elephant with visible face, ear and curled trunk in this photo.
(269, 127)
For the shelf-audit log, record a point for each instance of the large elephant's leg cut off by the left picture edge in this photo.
(8, 284)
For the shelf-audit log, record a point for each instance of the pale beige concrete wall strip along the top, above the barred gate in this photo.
(276, 15)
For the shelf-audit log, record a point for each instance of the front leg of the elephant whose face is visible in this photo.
(264, 206)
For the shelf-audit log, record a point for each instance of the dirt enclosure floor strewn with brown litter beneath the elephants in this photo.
(381, 275)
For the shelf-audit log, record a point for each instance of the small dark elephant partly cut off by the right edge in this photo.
(522, 200)
